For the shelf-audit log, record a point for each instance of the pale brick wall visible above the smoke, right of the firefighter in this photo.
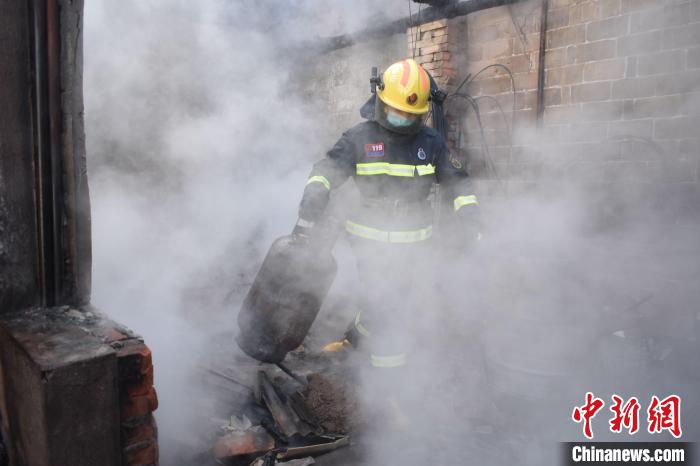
(622, 86)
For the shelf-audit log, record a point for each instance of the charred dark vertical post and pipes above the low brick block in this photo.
(60, 182)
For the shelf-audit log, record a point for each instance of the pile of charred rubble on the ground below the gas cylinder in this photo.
(291, 415)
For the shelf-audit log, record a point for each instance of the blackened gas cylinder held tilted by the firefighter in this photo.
(285, 297)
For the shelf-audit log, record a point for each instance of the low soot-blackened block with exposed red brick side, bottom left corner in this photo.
(76, 388)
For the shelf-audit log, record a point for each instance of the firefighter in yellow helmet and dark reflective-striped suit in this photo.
(395, 159)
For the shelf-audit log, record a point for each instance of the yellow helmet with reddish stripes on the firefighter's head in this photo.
(406, 87)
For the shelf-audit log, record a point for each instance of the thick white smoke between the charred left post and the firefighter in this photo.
(198, 155)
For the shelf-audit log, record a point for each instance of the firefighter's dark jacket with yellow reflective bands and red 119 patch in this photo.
(394, 174)
